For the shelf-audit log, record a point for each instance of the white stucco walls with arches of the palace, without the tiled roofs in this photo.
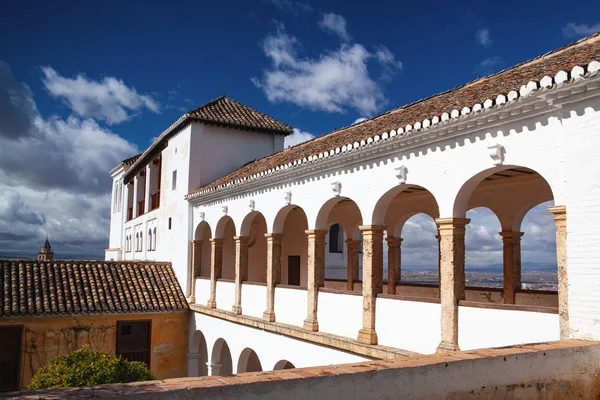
(509, 154)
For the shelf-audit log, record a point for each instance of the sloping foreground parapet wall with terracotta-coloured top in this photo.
(554, 370)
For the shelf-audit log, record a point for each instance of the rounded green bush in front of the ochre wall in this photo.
(85, 367)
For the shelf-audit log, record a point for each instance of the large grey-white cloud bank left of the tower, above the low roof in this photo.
(54, 179)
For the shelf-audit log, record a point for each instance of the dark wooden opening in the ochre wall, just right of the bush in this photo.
(133, 341)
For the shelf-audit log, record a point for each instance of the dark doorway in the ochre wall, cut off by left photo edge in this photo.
(10, 356)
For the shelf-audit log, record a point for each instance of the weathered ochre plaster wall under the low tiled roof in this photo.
(46, 337)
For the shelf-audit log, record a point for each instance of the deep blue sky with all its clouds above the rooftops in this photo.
(121, 72)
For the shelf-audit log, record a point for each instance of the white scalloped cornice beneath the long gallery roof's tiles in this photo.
(418, 131)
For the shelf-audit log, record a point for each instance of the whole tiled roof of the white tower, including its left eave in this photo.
(222, 111)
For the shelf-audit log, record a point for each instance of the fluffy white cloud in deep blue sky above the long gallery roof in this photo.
(332, 82)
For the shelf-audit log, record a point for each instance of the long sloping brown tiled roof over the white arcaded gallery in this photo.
(483, 93)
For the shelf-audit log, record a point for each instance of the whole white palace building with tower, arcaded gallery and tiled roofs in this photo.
(250, 227)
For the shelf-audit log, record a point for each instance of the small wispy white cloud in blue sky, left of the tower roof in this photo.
(109, 100)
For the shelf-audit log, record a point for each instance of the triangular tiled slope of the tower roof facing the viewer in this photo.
(226, 111)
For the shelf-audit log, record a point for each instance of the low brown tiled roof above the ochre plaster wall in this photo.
(29, 288)
